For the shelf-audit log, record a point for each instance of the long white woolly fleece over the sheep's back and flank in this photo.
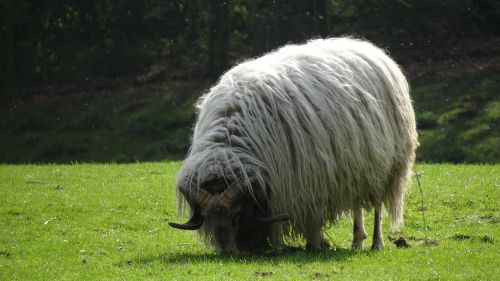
(327, 121)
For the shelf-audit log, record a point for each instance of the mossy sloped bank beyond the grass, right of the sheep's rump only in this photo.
(459, 119)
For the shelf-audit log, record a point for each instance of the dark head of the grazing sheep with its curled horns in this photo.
(221, 212)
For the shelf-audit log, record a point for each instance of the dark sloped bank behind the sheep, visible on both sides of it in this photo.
(456, 93)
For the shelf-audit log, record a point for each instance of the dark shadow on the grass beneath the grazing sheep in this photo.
(294, 255)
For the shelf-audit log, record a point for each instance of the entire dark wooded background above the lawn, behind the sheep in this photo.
(115, 81)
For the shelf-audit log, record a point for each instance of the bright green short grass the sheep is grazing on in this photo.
(109, 222)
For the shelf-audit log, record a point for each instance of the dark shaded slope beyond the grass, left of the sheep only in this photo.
(150, 122)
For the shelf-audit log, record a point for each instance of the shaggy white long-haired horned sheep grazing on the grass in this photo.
(290, 142)
